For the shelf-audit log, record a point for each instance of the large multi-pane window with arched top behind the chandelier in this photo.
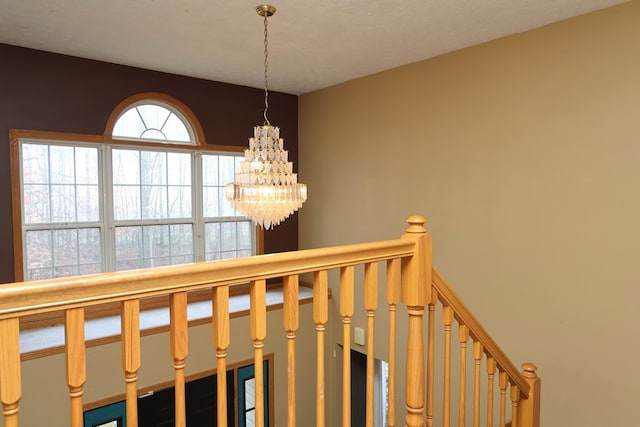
(90, 206)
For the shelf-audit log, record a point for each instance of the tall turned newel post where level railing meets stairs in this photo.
(416, 285)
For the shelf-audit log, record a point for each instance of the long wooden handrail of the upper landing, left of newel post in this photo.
(49, 295)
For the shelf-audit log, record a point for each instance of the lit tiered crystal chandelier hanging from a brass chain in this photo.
(266, 189)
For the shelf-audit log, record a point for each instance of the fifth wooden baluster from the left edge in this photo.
(221, 341)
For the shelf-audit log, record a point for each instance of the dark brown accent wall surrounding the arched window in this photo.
(58, 93)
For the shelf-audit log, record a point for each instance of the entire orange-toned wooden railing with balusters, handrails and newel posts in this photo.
(409, 278)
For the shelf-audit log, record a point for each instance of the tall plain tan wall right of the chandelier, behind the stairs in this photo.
(524, 154)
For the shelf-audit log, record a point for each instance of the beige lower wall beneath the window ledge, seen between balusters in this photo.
(45, 400)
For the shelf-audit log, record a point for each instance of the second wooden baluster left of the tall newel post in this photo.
(370, 304)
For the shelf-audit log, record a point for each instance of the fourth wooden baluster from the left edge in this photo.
(179, 337)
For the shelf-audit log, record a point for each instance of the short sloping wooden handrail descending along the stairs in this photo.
(464, 316)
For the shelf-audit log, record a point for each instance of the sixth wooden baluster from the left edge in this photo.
(258, 312)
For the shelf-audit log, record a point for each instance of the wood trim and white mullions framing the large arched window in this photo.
(105, 146)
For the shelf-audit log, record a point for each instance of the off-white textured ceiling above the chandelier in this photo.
(312, 44)
